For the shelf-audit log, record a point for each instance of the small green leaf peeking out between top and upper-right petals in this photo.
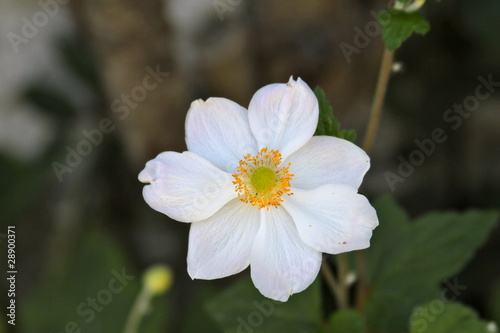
(327, 122)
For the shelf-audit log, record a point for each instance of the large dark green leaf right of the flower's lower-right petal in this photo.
(407, 261)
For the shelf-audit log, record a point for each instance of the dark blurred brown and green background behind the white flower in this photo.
(70, 70)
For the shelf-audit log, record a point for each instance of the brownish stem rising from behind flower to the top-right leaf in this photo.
(378, 100)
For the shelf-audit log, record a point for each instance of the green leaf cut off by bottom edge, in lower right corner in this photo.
(439, 317)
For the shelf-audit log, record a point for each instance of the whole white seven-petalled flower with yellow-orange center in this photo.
(260, 190)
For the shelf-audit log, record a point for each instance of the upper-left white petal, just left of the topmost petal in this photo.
(218, 130)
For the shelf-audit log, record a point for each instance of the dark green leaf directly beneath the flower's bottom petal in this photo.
(241, 308)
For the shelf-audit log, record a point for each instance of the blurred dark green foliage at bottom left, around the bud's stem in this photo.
(94, 291)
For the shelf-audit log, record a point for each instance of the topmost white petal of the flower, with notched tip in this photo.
(284, 116)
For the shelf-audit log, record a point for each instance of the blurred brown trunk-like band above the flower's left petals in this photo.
(147, 98)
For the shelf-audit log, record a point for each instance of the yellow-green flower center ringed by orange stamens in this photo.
(261, 181)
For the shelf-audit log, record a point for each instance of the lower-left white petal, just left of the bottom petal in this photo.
(220, 245)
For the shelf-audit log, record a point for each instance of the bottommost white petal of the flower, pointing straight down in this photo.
(281, 264)
